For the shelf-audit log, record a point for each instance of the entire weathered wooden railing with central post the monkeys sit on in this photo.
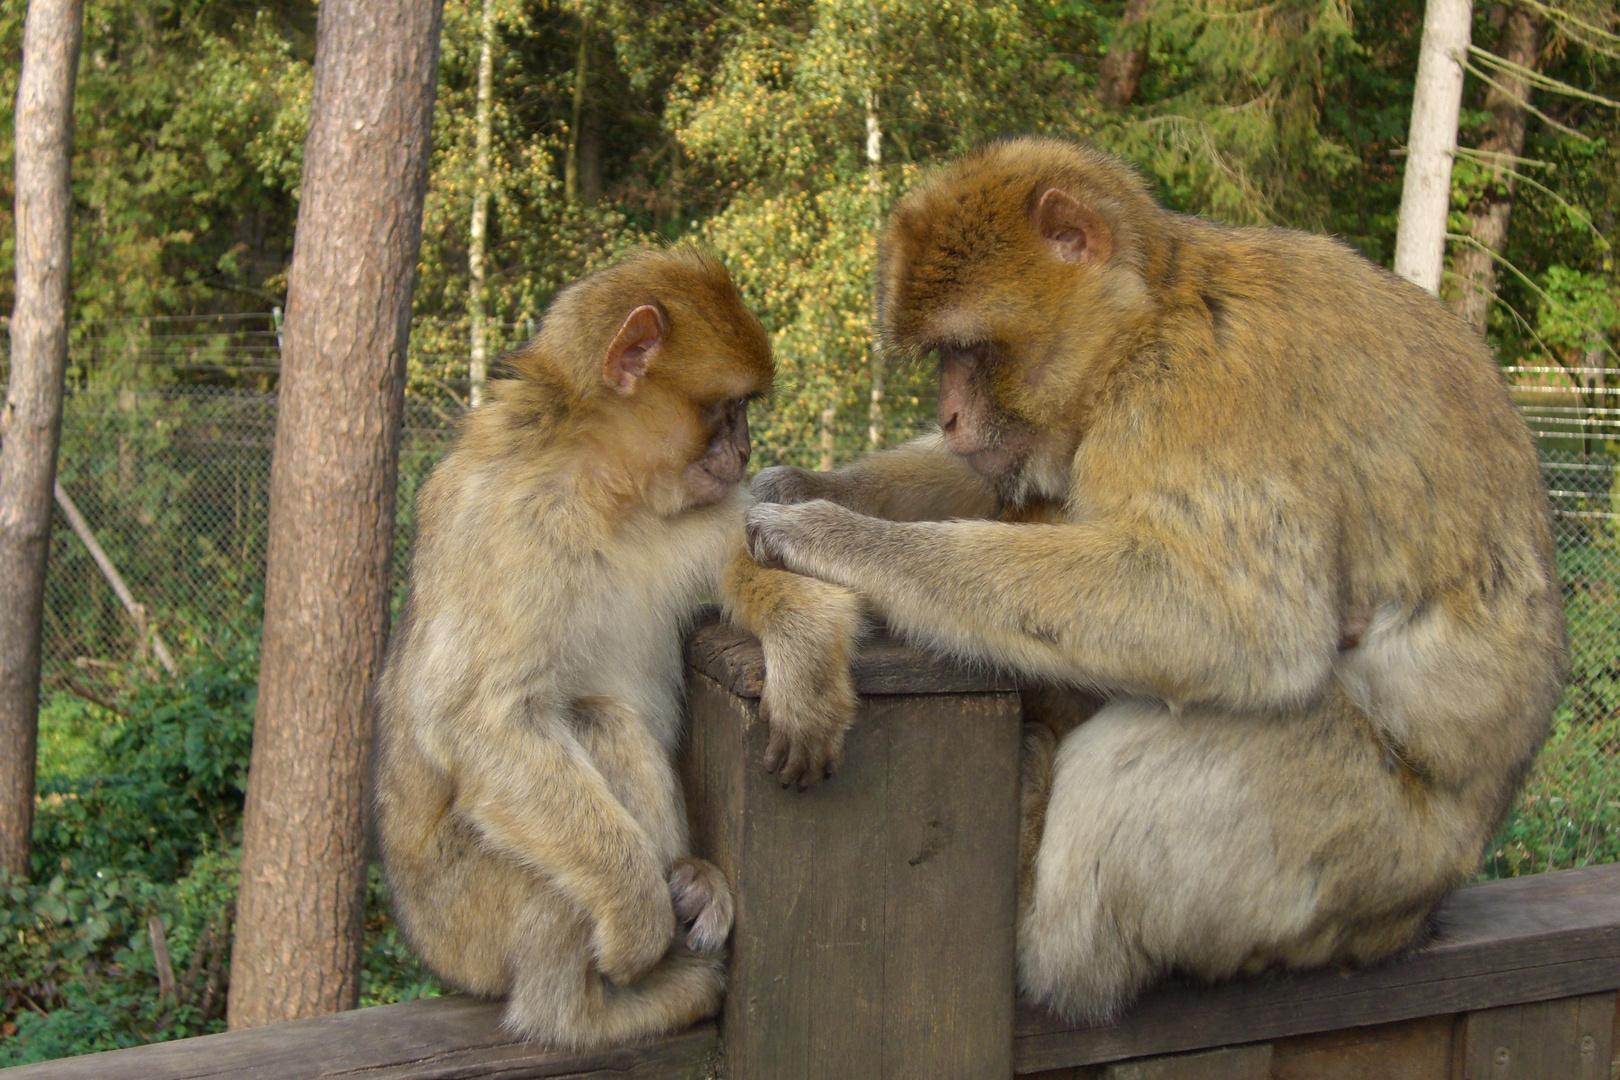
(876, 940)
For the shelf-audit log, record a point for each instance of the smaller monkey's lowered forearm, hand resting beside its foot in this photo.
(542, 802)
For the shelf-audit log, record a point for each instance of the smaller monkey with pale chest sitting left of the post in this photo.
(529, 812)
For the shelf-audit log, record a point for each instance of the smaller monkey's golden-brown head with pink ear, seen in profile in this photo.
(660, 360)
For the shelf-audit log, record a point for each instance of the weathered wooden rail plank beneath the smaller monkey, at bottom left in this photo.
(443, 1039)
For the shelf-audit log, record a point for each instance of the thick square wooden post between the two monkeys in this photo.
(876, 914)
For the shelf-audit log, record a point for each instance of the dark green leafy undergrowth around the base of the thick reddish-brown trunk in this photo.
(140, 817)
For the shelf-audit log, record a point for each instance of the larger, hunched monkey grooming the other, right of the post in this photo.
(1305, 545)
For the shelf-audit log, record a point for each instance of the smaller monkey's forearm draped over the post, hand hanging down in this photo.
(808, 629)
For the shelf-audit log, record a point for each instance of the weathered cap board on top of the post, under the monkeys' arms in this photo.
(884, 666)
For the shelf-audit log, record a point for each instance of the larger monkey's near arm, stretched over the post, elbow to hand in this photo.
(1094, 605)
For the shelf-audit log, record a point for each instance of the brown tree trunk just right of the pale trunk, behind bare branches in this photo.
(1488, 219)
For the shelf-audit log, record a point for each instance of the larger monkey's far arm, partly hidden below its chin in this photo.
(919, 482)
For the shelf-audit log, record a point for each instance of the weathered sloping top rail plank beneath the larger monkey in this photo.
(1501, 943)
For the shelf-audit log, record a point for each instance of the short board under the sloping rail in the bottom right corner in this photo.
(1545, 1040)
